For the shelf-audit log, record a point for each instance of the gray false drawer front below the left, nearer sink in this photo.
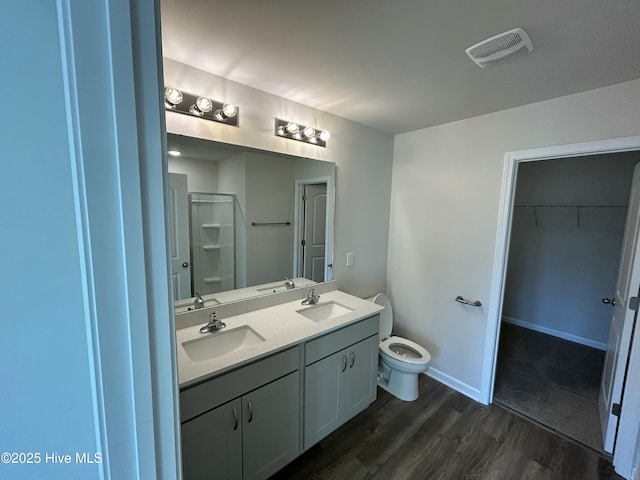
(219, 390)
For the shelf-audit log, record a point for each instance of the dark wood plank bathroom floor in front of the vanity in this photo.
(444, 435)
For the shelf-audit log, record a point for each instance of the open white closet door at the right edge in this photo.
(613, 374)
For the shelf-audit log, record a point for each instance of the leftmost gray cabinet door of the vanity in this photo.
(212, 444)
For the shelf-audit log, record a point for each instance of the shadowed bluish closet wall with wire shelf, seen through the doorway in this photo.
(567, 230)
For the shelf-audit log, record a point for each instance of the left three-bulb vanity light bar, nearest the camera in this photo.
(182, 102)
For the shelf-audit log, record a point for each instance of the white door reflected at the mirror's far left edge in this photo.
(179, 228)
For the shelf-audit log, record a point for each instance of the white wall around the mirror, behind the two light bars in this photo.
(363, 158)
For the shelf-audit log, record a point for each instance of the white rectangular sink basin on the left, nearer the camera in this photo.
(216, 344)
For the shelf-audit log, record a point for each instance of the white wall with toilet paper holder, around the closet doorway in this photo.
(444, 211)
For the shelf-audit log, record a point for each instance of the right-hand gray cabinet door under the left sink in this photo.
(271, 427)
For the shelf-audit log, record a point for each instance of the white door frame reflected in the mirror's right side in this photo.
(331, 197)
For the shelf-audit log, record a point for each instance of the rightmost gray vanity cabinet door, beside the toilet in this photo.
(361, 376)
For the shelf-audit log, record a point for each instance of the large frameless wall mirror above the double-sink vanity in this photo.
(246, 222)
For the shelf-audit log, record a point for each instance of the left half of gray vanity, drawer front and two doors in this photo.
(253, 435)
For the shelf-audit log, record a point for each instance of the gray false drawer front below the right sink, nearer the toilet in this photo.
(331, 343)
